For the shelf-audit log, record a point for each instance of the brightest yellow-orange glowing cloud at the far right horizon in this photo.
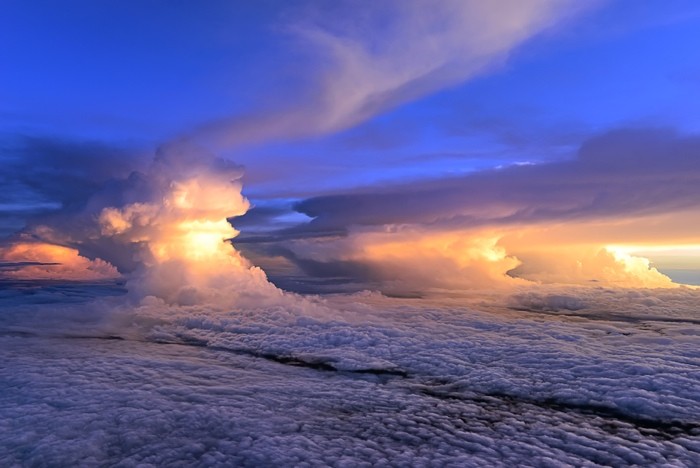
(620, 252)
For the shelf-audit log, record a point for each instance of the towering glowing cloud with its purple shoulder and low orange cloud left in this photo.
(165, 228)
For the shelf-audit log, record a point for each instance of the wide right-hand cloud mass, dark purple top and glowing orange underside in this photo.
(556, 221)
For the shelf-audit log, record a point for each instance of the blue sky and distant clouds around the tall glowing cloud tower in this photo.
(542, 141)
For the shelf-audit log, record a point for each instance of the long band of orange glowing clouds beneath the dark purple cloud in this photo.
(414, 258)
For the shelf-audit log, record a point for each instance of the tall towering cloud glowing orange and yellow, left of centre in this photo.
(182, 238)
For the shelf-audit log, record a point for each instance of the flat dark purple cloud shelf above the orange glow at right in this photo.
(625, 172)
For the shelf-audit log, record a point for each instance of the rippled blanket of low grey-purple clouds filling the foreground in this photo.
(550, 376)
